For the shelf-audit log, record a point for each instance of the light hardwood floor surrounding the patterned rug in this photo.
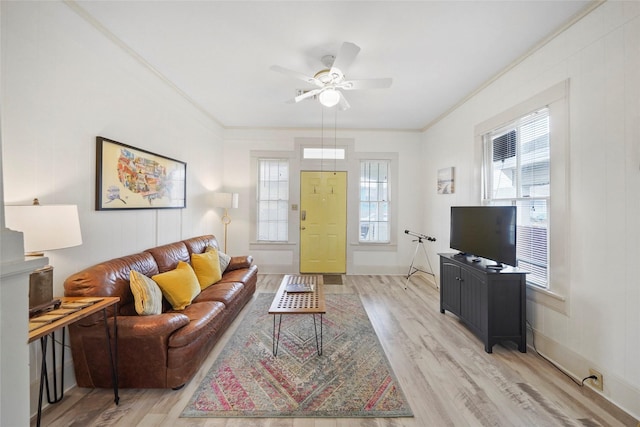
(442, 368)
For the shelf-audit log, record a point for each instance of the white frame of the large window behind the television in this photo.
(557, 294)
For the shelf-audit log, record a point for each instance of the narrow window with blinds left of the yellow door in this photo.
(273, 200)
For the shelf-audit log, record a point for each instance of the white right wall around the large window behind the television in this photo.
(600, 55)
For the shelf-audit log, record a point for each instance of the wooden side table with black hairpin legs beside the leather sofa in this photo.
(49, 330)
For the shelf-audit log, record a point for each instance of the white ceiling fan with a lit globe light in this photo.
(331, 81)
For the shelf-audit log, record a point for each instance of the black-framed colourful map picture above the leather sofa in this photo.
(131, 178)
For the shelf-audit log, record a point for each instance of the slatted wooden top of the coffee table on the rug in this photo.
(299, 302)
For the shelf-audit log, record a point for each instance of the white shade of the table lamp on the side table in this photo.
(45, 227)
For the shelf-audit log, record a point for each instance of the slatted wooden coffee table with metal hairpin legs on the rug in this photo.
(298, 303)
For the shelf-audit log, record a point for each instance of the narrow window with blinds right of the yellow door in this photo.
(374, 201)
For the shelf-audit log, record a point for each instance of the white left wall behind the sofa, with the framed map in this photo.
(63, 84)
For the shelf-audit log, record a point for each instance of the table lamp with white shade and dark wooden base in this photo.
(45, 227)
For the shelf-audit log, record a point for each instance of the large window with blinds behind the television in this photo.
(516, 172)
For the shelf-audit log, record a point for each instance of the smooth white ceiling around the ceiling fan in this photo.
(218, 53)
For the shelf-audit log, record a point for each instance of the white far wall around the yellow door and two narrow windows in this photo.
(361, 259)
